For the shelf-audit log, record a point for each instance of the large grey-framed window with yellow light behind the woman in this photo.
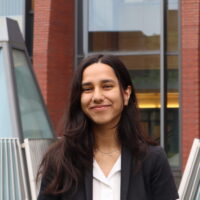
(144, 35)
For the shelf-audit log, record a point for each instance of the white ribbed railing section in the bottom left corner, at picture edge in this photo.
(13, 184)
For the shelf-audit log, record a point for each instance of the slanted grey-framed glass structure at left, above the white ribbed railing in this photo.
(22, 109)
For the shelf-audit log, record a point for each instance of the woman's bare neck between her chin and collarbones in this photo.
(106, 139)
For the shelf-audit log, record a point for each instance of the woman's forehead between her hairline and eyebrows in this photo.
(97, 72)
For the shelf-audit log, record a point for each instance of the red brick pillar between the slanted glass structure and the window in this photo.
(53, 52)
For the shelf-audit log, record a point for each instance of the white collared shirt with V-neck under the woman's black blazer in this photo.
(107, 187)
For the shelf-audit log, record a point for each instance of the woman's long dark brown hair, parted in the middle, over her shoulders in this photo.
(67, 160)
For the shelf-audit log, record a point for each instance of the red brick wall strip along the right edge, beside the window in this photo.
(190, 27)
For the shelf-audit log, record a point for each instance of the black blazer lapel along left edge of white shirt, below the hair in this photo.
(88, 184)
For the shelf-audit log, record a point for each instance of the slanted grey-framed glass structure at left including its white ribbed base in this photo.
(22, 116)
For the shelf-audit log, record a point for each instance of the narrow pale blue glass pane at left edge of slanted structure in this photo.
(5, 113)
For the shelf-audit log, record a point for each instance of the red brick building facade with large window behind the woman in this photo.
(158, 41)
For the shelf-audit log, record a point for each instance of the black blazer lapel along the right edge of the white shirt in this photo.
(125, 172)
